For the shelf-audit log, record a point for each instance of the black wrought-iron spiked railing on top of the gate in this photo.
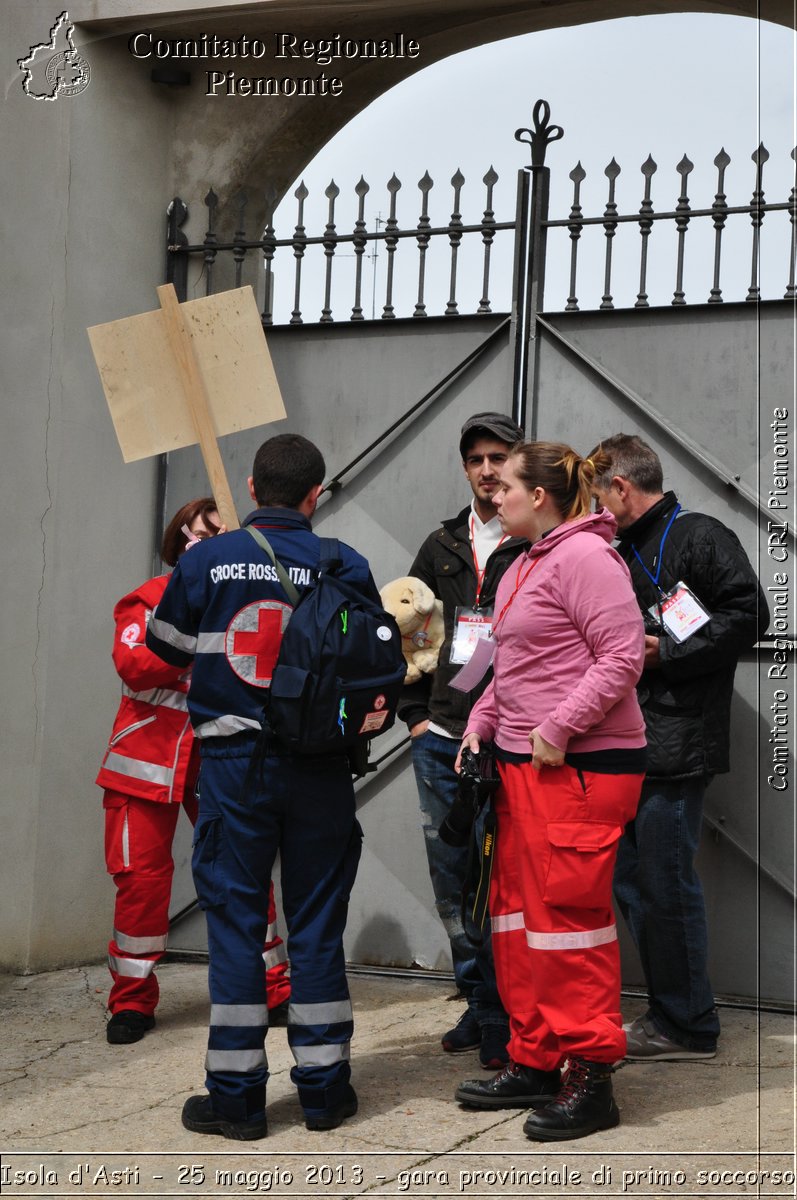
(529, 227)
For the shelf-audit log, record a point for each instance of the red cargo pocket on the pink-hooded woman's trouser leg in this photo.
(582, 863)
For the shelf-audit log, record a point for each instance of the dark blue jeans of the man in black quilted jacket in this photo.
(662, 899)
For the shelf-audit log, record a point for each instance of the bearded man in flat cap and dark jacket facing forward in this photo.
(462, 562)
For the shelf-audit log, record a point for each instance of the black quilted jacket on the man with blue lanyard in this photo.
(687, 700)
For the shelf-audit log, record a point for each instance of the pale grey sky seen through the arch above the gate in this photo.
(663, 86)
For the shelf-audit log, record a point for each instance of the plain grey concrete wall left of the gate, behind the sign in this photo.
(82, 196)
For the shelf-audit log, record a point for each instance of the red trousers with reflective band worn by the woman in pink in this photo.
(554, 933)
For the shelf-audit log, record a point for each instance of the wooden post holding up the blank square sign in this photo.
(197, 395)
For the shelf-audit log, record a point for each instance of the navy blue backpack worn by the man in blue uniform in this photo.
(340, 670)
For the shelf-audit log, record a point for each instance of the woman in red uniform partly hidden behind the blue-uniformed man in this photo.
(149, 771)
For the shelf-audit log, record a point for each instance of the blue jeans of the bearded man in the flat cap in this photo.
(438, 789)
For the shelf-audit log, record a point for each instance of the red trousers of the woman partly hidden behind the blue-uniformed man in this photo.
(139, 856)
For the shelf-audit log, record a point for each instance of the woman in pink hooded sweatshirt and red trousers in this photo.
(570, 742)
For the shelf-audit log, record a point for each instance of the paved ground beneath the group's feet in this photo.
(75, 1111)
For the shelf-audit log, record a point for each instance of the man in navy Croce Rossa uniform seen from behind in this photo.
(224, 611)
